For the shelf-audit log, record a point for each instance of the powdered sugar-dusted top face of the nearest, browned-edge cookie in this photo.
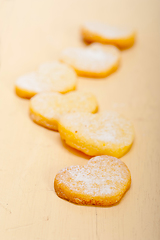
(102, 176)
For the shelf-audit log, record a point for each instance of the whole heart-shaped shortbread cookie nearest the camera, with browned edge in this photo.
(101, 182)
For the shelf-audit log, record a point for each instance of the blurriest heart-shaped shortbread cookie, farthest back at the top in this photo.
(99, 32)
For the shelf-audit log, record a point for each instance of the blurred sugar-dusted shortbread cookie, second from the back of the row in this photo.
(95, 60)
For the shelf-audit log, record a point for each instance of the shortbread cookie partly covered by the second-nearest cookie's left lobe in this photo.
(47, 108)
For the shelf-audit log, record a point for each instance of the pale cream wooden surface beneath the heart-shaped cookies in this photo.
(35, 31)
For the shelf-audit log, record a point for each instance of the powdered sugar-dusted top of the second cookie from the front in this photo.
(108, 127)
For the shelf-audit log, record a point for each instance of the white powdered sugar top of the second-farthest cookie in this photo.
(94, 58)
